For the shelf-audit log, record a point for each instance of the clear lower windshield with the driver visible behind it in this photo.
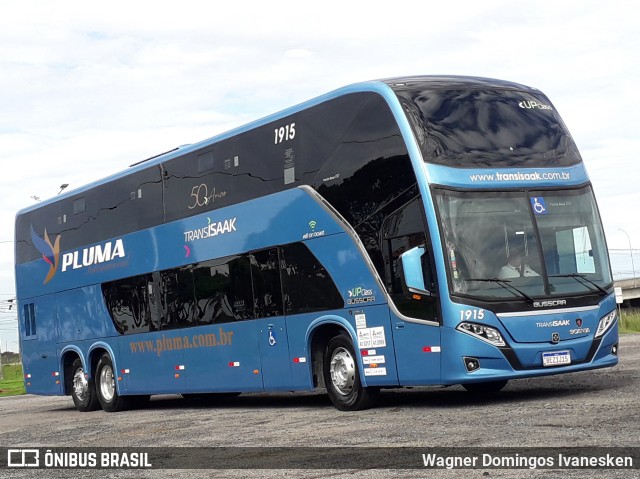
(521, 245)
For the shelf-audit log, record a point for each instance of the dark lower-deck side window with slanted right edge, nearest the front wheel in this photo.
(307, 285)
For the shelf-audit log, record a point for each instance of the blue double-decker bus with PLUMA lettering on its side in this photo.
(413, 231)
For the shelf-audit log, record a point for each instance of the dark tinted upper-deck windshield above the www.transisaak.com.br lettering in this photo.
(476, 128)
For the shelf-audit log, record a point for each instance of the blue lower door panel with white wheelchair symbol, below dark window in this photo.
(274, 353)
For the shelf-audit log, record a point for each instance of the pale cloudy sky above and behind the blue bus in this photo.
(87, 89)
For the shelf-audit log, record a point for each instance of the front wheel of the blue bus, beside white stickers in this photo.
(342, 377)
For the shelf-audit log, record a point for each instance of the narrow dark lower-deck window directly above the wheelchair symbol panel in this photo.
(267, 290)
